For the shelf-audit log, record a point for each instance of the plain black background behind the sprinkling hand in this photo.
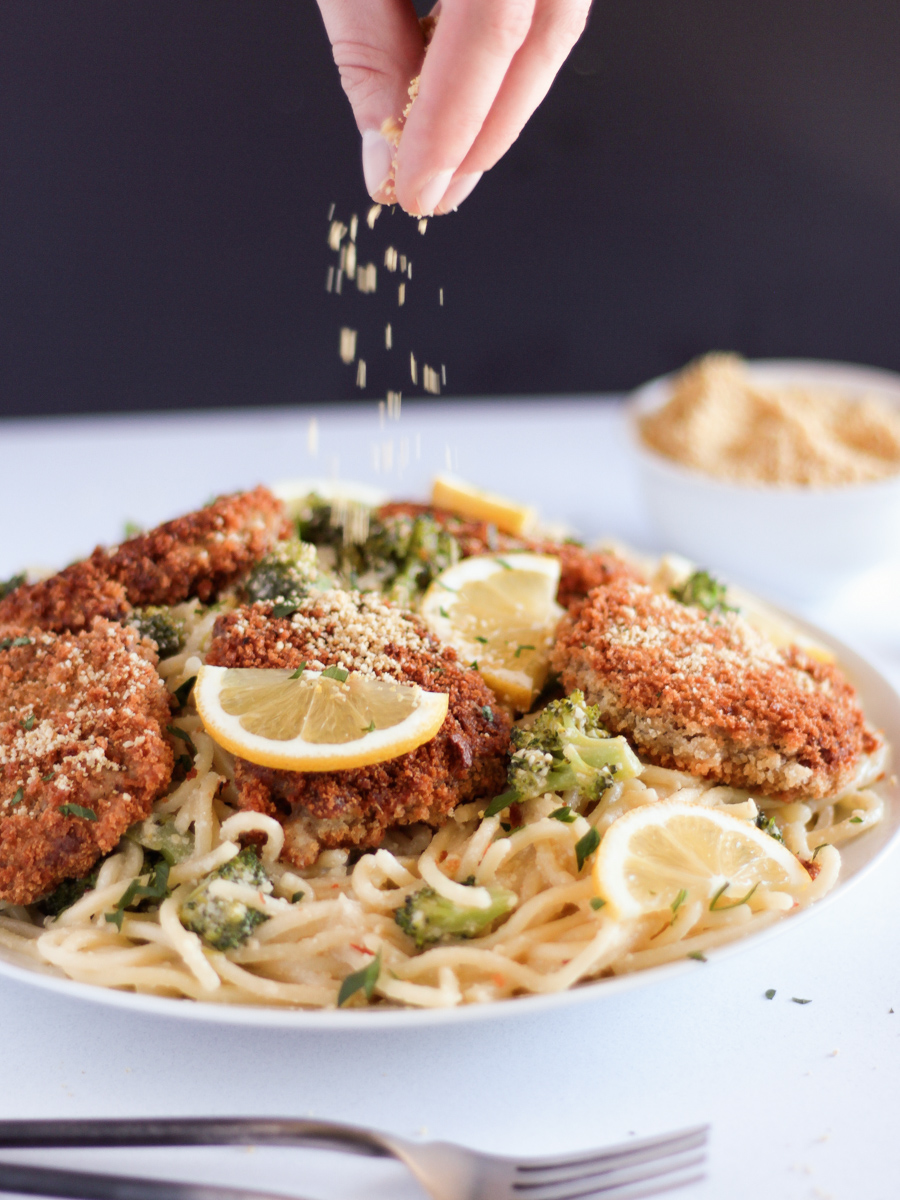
(705, 175)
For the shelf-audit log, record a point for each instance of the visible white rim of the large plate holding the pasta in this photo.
(883, 707)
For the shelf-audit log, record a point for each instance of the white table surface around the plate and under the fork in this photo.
(803, 1100)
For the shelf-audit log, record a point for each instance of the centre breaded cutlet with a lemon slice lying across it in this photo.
(465, 761)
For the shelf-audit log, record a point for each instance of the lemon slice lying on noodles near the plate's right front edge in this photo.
(650, 855)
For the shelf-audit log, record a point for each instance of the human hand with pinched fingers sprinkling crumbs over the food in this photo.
(489, 67)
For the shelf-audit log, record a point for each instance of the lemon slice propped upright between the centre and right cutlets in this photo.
(500, 613)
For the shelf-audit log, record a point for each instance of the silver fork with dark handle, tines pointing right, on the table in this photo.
(447, 1172)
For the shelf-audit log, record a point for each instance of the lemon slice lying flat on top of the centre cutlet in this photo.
(316, 722)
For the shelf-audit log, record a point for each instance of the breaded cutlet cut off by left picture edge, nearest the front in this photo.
(82, 751)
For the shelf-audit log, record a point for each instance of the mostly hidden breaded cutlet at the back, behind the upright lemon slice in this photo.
(581, 569)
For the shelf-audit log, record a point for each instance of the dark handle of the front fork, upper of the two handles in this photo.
(191, 1132)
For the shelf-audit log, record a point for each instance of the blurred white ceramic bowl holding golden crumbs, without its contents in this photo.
(794, 542)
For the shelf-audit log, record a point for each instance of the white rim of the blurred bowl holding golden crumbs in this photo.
(853, 377)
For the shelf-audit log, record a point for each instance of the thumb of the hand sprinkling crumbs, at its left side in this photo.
(379, 47)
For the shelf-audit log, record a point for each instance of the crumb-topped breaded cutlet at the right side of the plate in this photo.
(707, 694)
